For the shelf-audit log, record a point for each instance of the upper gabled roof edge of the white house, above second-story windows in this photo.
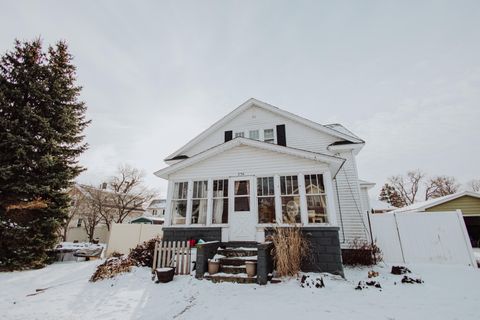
(334, 131)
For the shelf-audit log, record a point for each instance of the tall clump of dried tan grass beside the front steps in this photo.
(290, 249)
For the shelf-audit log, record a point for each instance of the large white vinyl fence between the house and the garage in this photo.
(419, 237)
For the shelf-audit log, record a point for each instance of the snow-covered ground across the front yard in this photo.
(447, 293)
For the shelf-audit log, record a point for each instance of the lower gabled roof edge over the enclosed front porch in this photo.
(334, 162)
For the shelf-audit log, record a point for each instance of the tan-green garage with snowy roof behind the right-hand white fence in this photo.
(466, 201)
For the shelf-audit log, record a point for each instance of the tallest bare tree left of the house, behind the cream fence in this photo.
(128, 192)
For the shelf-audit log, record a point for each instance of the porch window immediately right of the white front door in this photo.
(266, 200)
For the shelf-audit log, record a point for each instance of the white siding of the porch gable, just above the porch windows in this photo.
(246, 160)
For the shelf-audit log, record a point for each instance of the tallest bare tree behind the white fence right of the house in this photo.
(407, 186)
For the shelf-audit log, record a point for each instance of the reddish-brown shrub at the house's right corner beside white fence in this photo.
(361, 253)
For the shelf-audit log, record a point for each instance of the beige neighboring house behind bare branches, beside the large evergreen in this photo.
(76, 228)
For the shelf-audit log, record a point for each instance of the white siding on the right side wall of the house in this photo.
(350, 213)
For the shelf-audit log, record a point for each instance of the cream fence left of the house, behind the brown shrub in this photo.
(124, 237)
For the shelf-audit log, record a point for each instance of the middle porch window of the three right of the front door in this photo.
(290, 198)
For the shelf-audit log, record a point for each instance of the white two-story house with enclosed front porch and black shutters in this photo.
(261, 166)
